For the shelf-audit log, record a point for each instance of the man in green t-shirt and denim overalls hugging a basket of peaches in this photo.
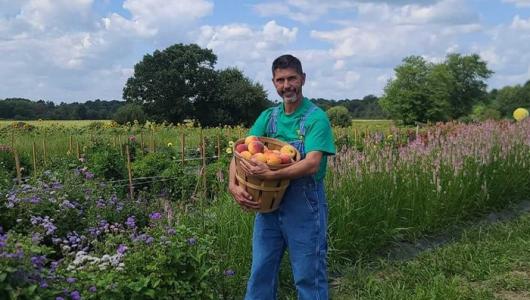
(300, 223)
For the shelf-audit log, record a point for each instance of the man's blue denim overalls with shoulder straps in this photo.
(298, 225)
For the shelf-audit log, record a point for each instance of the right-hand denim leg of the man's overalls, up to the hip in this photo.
(303, 217)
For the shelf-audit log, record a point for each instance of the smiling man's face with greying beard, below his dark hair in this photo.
(288, 84)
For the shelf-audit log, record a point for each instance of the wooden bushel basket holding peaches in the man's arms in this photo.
(268, 193)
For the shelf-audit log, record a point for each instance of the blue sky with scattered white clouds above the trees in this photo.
(79, 50)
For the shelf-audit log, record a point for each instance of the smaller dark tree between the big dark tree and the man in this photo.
(236, 101)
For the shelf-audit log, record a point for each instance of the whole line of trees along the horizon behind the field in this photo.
(180, 83)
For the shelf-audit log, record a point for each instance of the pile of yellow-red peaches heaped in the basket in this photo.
(254, 149)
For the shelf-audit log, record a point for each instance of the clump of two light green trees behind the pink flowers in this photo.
(424, 91)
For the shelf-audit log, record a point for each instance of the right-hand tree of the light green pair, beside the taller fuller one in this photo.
(467, 83)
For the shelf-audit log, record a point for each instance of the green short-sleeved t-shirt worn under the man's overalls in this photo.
(318, 133)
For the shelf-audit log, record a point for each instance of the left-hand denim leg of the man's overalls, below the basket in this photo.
(268, 246)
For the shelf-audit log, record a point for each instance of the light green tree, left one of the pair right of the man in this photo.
(419, 93)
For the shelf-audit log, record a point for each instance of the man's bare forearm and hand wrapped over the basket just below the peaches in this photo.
(307, 166)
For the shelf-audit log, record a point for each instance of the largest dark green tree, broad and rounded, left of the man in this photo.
(168, 82)
